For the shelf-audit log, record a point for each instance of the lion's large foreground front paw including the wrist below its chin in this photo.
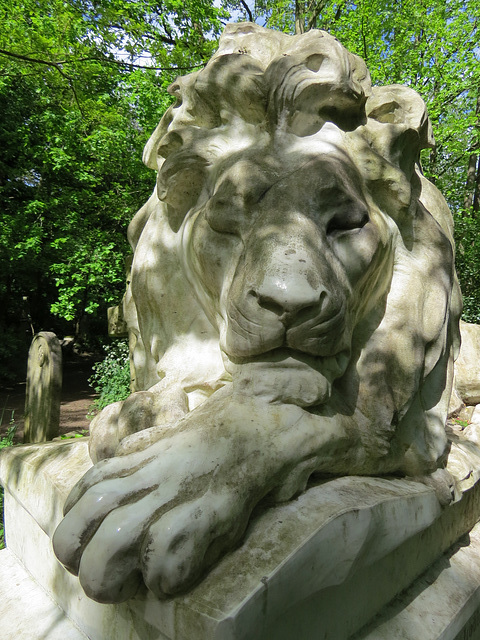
(165, 514)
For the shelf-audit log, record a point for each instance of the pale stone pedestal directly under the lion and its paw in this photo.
(326, 565)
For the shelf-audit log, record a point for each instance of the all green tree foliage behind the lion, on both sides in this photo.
(83, 84)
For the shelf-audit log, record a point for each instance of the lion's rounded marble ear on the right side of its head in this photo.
(398, 125)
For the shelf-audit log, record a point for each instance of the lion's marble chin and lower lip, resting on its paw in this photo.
(287, 376)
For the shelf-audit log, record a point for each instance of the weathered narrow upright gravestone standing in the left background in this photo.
(44, 388)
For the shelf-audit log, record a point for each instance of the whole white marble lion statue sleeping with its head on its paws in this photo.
(292, 305)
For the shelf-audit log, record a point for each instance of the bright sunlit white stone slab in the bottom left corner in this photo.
(26, 612)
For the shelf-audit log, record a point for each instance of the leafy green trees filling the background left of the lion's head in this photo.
(82, 86)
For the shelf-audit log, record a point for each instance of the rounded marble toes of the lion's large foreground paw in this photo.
(111, 545)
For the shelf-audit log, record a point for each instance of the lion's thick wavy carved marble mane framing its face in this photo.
(263, 86)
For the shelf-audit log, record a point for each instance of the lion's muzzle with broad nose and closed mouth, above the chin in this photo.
(286, 295)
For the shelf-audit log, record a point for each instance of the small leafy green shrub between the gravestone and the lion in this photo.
(111, 377)
